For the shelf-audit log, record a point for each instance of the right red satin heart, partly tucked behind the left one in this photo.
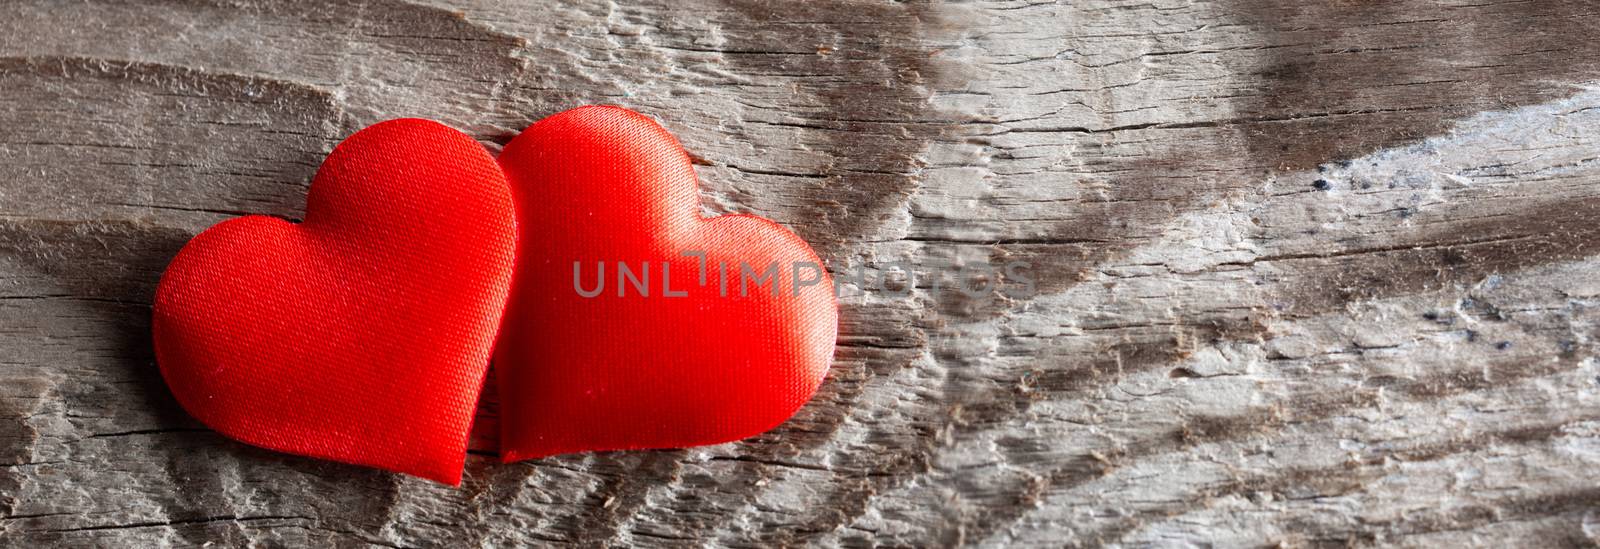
(679, 347)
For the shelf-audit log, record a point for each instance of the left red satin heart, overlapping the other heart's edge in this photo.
(364, 334)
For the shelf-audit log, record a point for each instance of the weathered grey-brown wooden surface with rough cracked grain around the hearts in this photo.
(1313, 273)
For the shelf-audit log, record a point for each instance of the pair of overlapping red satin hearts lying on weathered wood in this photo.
(364, 334)
